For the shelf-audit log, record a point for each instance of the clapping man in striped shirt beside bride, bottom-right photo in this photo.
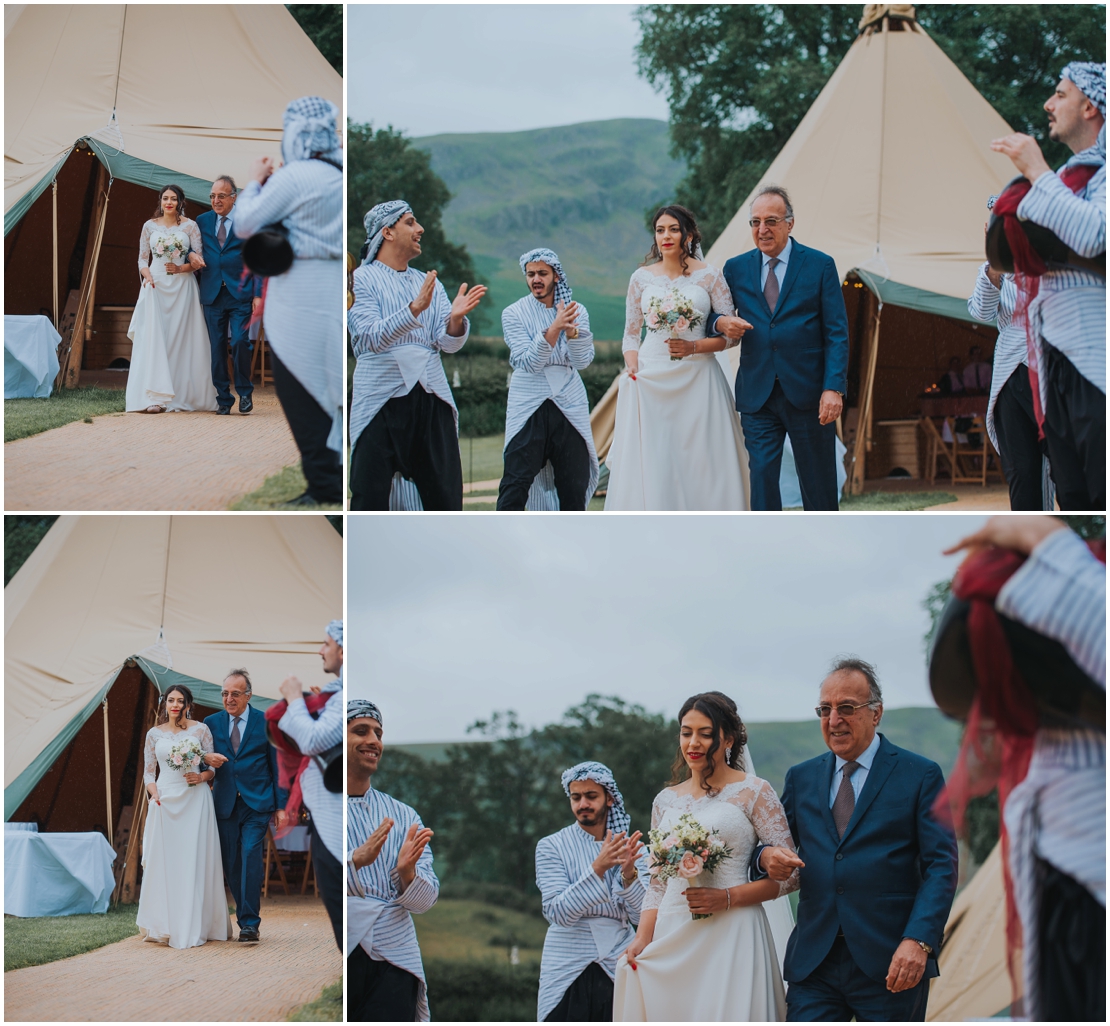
(589, 876)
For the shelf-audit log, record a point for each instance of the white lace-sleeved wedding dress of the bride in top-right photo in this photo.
(678, 442)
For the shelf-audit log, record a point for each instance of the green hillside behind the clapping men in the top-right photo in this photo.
(582, 190)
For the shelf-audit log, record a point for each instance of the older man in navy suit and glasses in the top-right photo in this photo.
(794, 360)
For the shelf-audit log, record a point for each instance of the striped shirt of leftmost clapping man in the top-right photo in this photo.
(395, 350)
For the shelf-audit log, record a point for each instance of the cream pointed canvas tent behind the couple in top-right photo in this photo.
(890, 173)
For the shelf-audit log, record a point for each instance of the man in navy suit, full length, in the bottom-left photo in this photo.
(246, 797)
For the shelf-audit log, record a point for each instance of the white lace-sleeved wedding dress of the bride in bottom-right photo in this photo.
(725, 969)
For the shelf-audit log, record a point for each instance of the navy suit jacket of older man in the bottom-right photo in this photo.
(893, 874)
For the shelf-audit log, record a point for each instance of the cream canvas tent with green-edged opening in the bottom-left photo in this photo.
(108, 611)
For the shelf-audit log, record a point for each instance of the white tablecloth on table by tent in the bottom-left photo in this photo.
(56, 874)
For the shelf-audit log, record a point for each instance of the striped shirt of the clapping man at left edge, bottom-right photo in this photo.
(376, 890)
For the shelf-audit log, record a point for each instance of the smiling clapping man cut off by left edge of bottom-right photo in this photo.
(390, 878)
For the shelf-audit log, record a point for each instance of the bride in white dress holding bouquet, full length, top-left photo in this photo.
(171, 356)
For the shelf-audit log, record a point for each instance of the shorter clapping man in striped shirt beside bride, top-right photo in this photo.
(548, 418)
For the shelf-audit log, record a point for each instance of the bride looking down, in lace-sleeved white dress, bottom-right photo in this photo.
(722, 969)
